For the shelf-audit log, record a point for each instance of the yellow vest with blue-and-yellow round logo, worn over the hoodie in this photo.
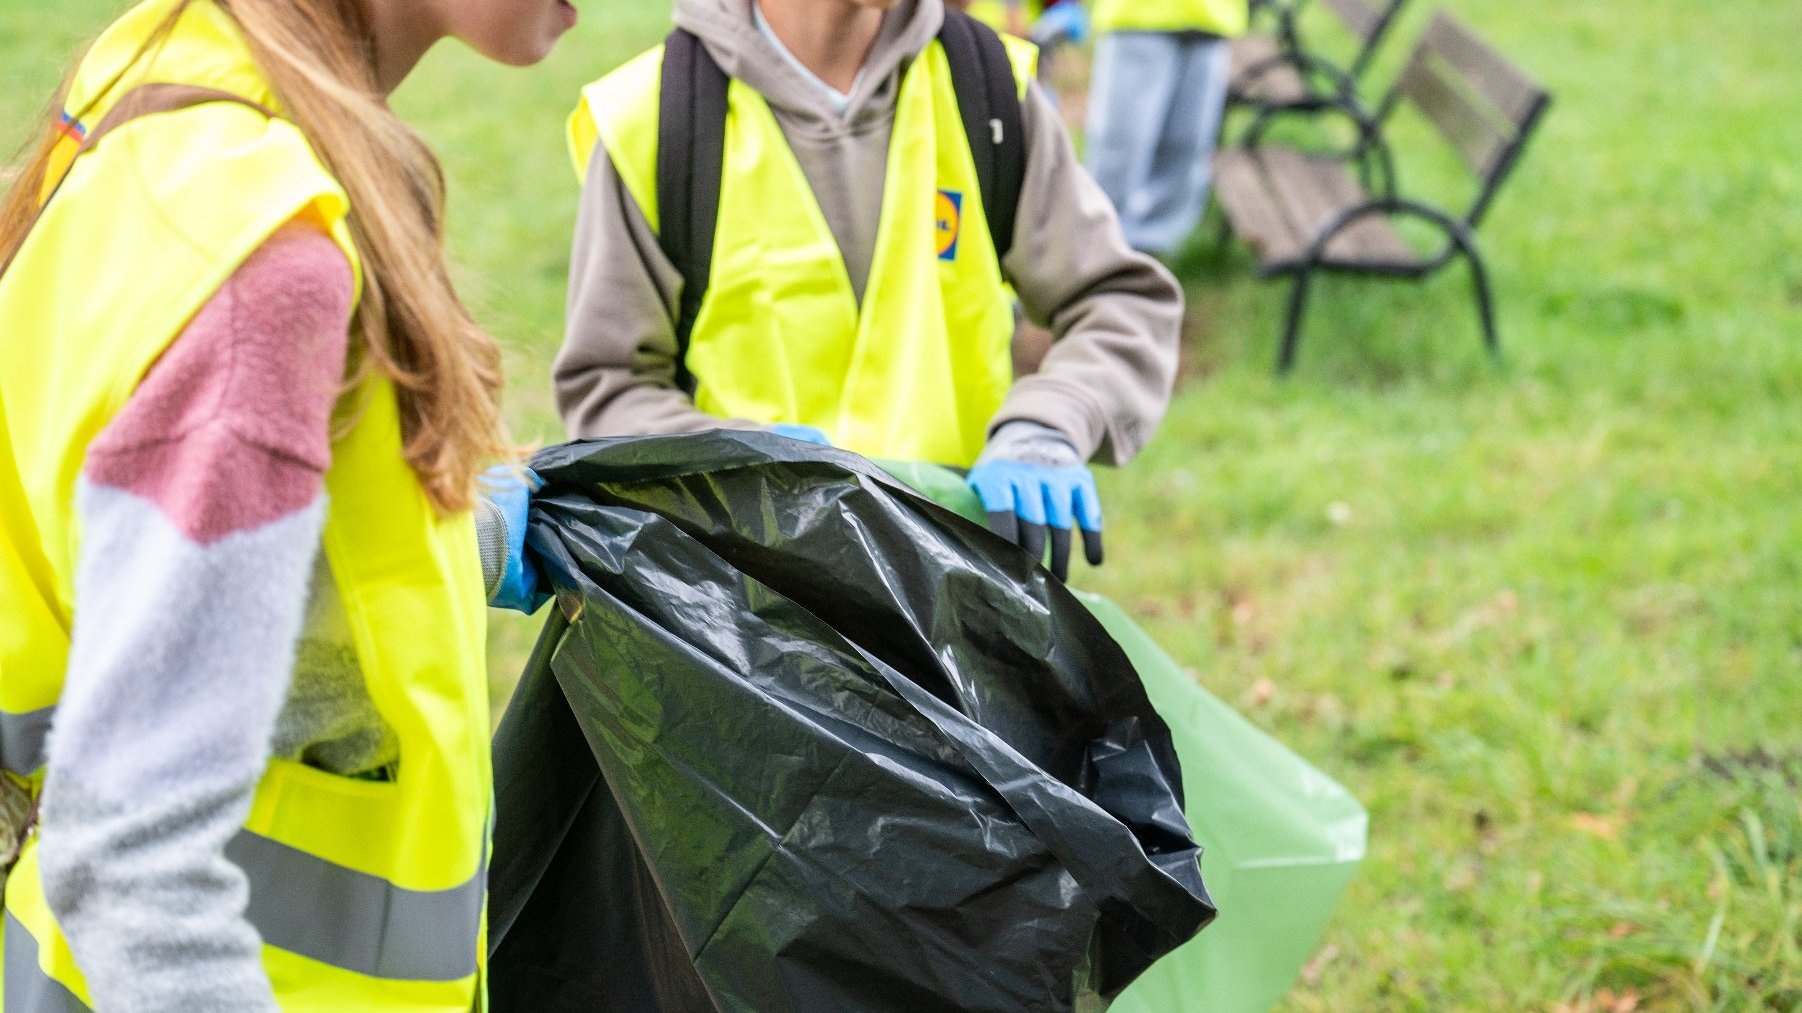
(922, 367)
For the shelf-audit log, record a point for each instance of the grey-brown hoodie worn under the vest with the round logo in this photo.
(1116, 315)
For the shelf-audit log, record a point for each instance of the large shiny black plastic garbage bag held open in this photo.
(801, 740)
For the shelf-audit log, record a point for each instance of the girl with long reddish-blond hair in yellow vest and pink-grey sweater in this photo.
(244, 709)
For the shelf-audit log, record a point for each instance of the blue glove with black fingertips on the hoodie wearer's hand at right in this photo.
(1032, 482)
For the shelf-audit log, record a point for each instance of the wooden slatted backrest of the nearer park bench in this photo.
(1471, 95)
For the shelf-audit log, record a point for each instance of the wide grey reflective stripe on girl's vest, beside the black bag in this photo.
(358, 922)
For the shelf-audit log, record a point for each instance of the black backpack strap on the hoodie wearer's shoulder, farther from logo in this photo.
(691, 160)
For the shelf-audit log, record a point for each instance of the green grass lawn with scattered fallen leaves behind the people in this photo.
(1543, 619)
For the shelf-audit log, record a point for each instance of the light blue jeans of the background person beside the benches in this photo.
(1154, 116)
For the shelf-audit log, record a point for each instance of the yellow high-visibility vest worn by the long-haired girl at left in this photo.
(369, 895)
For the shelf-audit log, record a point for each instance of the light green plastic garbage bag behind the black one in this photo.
(1280, 837)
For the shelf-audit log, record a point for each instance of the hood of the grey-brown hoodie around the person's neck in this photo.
(743, 53)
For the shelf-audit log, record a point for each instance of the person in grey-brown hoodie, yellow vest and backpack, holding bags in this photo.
(860, 257)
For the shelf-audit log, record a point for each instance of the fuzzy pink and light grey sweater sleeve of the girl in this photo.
(201, 511)
